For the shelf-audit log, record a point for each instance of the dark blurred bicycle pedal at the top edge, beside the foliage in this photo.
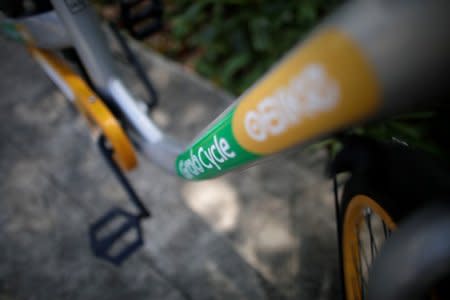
(141, 17)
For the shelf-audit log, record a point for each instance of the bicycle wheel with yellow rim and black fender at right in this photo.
(385, 188)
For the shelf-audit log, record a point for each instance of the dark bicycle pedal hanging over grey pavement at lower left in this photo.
(116, 235)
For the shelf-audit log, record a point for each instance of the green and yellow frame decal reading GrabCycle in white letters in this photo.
(324, 84)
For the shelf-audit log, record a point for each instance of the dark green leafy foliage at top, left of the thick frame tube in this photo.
(236, 41)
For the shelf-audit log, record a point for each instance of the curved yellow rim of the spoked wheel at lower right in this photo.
(354, 218)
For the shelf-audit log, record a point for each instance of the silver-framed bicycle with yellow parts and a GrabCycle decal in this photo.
(348, 71)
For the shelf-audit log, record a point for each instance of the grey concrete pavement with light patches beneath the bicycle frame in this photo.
(262, 233)
